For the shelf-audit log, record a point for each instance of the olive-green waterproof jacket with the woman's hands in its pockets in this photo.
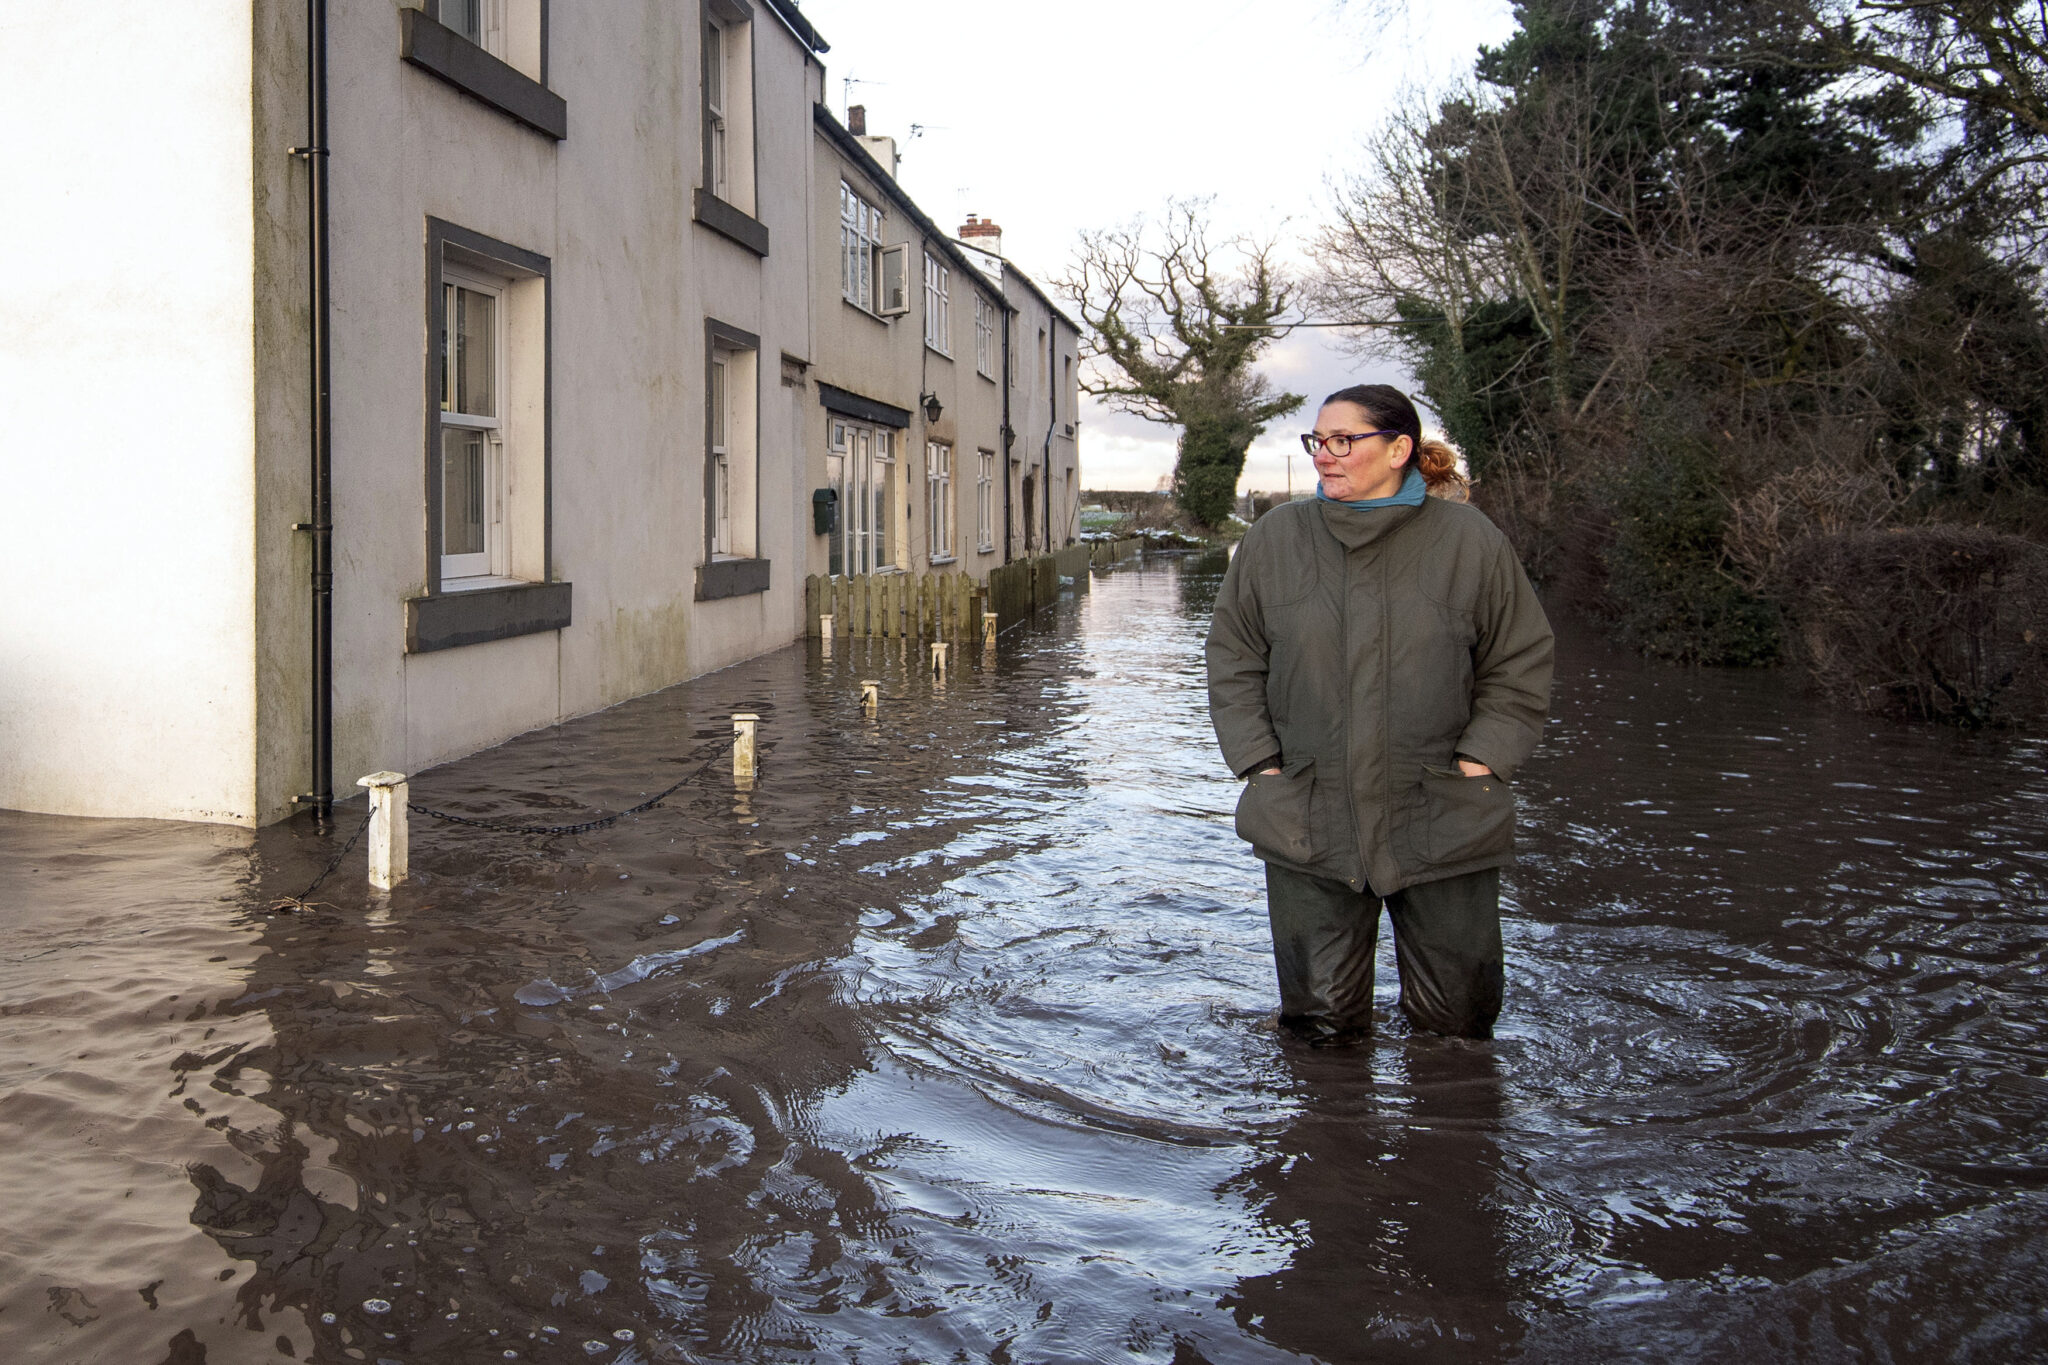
(1363, 652)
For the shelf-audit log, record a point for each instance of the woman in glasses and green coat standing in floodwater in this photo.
(1379, 670)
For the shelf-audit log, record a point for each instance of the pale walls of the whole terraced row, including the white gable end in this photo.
(155, 376)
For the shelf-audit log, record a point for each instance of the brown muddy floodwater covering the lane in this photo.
(949, 1043)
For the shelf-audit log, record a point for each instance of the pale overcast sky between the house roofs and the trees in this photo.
(1086, 114)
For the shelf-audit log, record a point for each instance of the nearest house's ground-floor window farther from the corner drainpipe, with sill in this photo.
(732, 461)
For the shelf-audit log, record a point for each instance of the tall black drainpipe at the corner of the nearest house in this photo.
(323, 525)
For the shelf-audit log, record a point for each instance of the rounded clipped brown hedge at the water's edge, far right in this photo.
(1924, 623)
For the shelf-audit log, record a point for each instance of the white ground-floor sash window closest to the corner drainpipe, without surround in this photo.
(472, 445)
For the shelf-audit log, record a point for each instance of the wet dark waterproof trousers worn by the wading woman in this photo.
(1447, 944)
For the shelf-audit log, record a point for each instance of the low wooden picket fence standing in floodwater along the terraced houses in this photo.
(947, 607)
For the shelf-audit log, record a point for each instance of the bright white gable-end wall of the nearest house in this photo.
(126, 449)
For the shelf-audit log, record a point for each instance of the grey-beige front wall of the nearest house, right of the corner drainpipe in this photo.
(632, 281)
